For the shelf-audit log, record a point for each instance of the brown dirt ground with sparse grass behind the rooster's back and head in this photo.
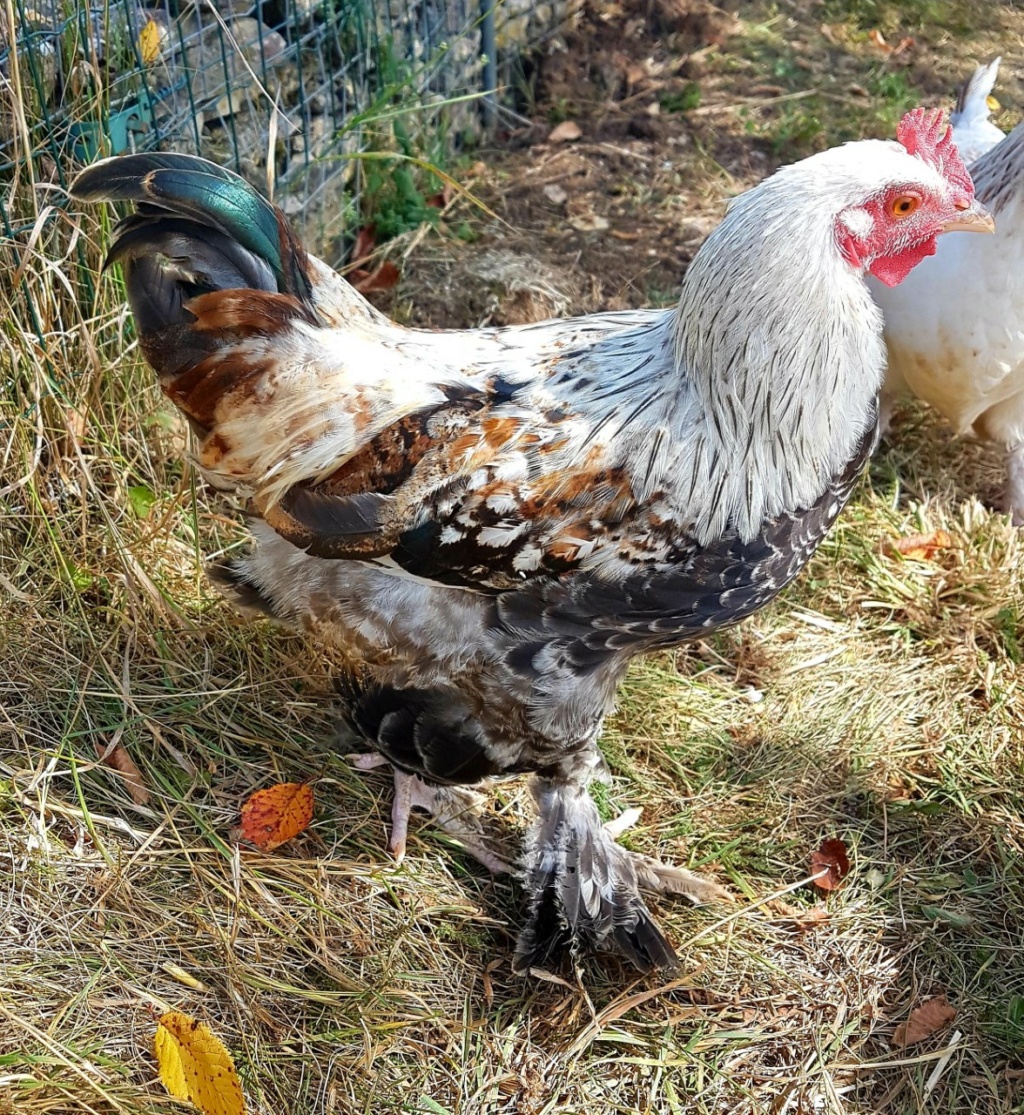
(680, 105)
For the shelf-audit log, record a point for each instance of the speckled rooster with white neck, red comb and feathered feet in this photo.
(494, 523)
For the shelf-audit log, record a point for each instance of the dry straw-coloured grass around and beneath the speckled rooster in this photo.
(877, 702)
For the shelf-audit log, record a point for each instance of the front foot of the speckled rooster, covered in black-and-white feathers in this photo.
(585, 889)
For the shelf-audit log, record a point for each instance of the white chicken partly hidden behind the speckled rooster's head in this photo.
(955, 329)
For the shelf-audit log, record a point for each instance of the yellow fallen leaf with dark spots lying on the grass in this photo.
(196, 1066)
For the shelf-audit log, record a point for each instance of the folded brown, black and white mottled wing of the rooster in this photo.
(430, 492)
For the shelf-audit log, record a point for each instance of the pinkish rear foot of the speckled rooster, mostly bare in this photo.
(455, 809)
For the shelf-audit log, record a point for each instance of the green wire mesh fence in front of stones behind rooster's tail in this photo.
(282, 91)
